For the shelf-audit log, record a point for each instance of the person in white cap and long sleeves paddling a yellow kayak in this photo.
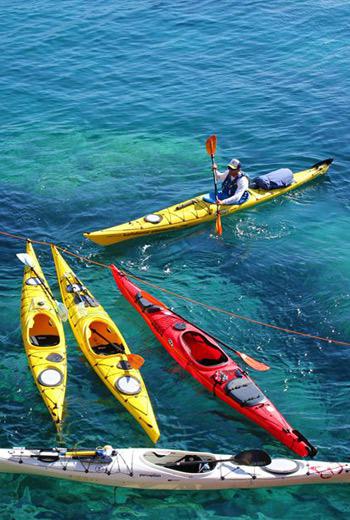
(235, 183)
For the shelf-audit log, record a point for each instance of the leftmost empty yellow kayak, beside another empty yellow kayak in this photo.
(43, 337)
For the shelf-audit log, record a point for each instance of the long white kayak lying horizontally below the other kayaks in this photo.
(172, 469)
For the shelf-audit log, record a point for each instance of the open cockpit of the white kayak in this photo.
(180, 461)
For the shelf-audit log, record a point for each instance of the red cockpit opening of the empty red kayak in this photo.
(202, 350)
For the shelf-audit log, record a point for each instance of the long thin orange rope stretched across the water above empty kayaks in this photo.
(179, 296)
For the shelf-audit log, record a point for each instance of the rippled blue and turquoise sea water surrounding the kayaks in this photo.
(105, 109)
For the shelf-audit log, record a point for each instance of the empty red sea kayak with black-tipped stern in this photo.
(199, 354)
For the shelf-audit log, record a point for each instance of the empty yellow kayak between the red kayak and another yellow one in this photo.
(104, 347)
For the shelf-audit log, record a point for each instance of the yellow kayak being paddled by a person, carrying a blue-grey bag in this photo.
(196, 211)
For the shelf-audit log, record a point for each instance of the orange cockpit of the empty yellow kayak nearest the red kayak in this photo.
(103, 340)
